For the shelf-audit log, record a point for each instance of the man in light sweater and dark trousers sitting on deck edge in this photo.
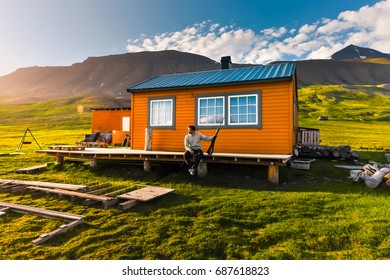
(194, 148)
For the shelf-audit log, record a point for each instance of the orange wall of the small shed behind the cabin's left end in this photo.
(108, 120)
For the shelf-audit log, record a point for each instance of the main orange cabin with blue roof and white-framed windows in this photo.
(256, 108)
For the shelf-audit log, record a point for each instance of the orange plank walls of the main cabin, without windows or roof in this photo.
(278, 120)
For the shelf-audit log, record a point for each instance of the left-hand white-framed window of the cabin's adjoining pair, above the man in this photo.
(210, 110)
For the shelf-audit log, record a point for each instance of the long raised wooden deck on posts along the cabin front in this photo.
(273, 161)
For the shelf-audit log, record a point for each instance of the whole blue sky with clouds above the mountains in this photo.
(60, 33)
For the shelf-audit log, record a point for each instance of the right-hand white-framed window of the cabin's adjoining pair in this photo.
(243, 110)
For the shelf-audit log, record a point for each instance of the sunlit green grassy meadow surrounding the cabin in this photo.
(232, 213)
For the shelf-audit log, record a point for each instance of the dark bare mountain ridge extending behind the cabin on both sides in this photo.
(109, 76)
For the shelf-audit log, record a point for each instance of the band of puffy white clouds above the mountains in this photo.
(366, 27)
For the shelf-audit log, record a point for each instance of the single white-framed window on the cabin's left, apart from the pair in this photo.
(161, 112)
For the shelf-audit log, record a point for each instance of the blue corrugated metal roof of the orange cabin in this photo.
(218, 77)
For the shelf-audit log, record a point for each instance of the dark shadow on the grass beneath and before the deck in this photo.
(323, 176)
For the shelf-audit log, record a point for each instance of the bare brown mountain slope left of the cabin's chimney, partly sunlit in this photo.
(104, 76)
